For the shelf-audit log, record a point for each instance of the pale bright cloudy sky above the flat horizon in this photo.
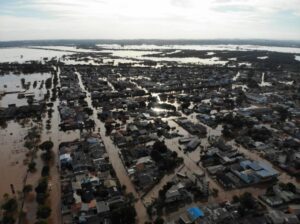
(149, 19)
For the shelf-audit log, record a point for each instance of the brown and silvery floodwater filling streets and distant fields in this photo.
(13, 153)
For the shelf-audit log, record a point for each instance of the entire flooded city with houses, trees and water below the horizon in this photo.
(137, 133)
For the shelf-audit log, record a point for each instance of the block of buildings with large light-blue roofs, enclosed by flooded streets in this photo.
(233, 170)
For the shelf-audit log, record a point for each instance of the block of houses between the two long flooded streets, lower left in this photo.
(89, 189)
